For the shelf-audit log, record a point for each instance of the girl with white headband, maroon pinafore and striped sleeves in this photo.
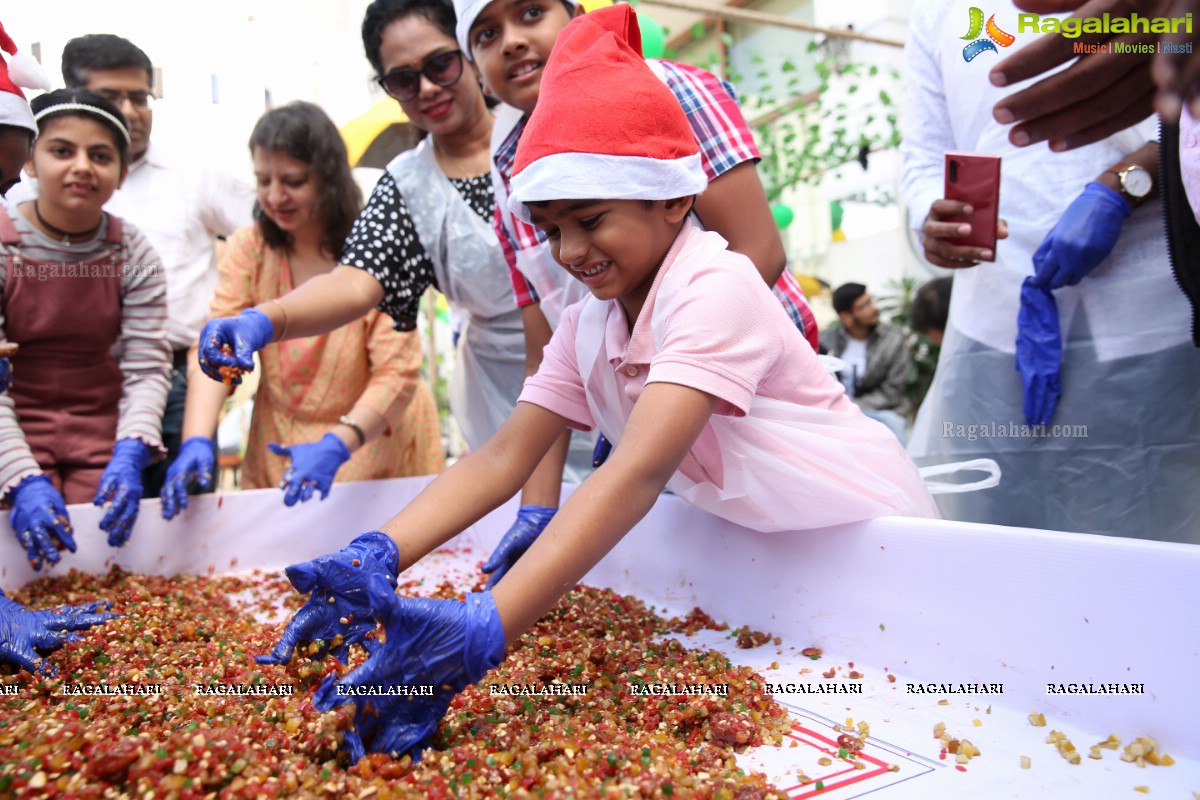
(86, 298)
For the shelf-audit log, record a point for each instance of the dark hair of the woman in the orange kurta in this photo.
(307, 134)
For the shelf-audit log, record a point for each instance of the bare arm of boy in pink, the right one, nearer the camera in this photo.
(665, 424)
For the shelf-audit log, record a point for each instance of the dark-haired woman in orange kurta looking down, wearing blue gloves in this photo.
(351, 404)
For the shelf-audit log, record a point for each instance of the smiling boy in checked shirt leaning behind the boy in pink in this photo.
(509, 43)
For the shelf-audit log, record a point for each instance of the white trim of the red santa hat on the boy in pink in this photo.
(595, 177)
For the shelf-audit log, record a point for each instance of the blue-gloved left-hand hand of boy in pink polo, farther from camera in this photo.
(340, 612)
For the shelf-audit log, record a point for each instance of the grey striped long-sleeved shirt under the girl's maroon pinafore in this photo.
(142, 351)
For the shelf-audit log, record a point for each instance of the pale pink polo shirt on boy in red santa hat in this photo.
(727, 336)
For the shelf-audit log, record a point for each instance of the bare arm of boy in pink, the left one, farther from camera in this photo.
(478, 484)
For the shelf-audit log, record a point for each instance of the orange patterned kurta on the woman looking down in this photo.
(308, 384)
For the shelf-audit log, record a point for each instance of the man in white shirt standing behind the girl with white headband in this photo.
(182, 208)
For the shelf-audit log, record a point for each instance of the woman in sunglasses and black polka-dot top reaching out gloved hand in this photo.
(429, 222)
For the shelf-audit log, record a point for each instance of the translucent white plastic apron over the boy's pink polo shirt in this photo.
(785, 467)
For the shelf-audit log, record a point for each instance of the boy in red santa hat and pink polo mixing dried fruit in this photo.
(695, 371)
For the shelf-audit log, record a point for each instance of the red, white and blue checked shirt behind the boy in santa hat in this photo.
(725, 142)
